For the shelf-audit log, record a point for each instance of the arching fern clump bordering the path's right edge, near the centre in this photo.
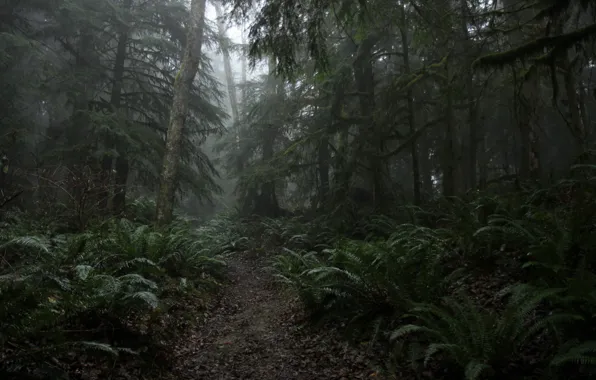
(363, 281)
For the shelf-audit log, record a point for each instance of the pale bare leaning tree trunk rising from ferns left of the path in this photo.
(182, 89)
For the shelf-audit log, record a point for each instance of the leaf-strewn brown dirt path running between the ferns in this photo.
(254, 333)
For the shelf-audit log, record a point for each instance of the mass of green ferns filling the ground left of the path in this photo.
(71, 292)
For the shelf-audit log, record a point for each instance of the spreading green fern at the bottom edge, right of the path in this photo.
(479, 341)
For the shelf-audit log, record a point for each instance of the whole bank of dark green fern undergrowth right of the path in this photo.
(423, 290)
